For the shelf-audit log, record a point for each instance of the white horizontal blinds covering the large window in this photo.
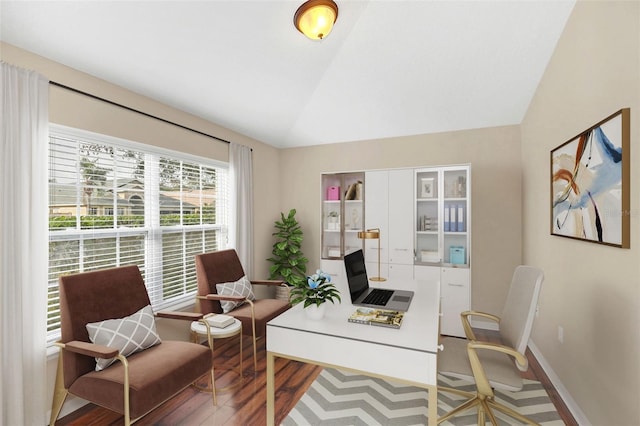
(115, 203)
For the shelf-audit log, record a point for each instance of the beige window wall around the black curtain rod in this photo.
(76, 110)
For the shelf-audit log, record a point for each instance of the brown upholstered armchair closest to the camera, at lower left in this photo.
(114, 302)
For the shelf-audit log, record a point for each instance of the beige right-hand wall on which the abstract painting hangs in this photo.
(592, 291)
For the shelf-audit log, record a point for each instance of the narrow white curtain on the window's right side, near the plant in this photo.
(241, 223)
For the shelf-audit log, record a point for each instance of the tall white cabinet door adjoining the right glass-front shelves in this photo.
(401, 217)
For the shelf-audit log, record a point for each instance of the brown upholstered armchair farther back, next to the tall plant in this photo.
(224, 267)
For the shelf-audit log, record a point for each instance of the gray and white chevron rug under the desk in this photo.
(341, 398)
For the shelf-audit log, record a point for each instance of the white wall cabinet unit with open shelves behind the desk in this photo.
(424, 217)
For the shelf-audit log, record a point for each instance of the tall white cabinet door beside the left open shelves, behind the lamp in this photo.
(376, 215)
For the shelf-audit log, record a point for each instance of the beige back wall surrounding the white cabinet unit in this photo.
(494, 155)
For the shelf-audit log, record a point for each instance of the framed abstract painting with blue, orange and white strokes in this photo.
(590, 184)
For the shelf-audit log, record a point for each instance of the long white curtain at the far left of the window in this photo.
(24, 126)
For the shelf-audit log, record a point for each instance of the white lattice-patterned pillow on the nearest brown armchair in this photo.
(129, 335)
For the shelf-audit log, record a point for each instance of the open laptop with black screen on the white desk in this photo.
(363, 295)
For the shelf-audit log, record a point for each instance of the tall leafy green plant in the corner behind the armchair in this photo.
(289, 263)
